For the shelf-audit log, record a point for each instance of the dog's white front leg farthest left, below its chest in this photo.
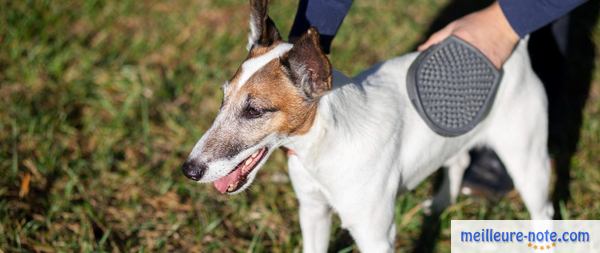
(315, 213)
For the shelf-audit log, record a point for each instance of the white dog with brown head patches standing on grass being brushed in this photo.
(355, 143)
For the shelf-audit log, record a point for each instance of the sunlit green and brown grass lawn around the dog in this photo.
(101, 101)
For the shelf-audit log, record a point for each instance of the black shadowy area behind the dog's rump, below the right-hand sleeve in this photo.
(566, 69)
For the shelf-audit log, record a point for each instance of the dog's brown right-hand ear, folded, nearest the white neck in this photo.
(309, 67)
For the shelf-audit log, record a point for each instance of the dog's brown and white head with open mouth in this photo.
(273, 95)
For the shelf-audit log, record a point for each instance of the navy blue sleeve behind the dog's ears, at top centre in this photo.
(325, 15)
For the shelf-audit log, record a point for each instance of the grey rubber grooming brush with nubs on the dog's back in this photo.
(453, 85)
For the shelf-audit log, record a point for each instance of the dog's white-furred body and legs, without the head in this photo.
(368, 143)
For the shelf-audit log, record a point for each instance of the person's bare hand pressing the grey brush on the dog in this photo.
(487, 29)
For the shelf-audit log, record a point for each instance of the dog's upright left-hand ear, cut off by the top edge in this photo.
(262, 29)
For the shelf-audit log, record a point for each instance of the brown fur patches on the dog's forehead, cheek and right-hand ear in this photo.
(288, 86)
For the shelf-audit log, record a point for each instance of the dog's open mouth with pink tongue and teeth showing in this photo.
(239, 175)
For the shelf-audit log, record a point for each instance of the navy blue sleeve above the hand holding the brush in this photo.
(526, 16)
